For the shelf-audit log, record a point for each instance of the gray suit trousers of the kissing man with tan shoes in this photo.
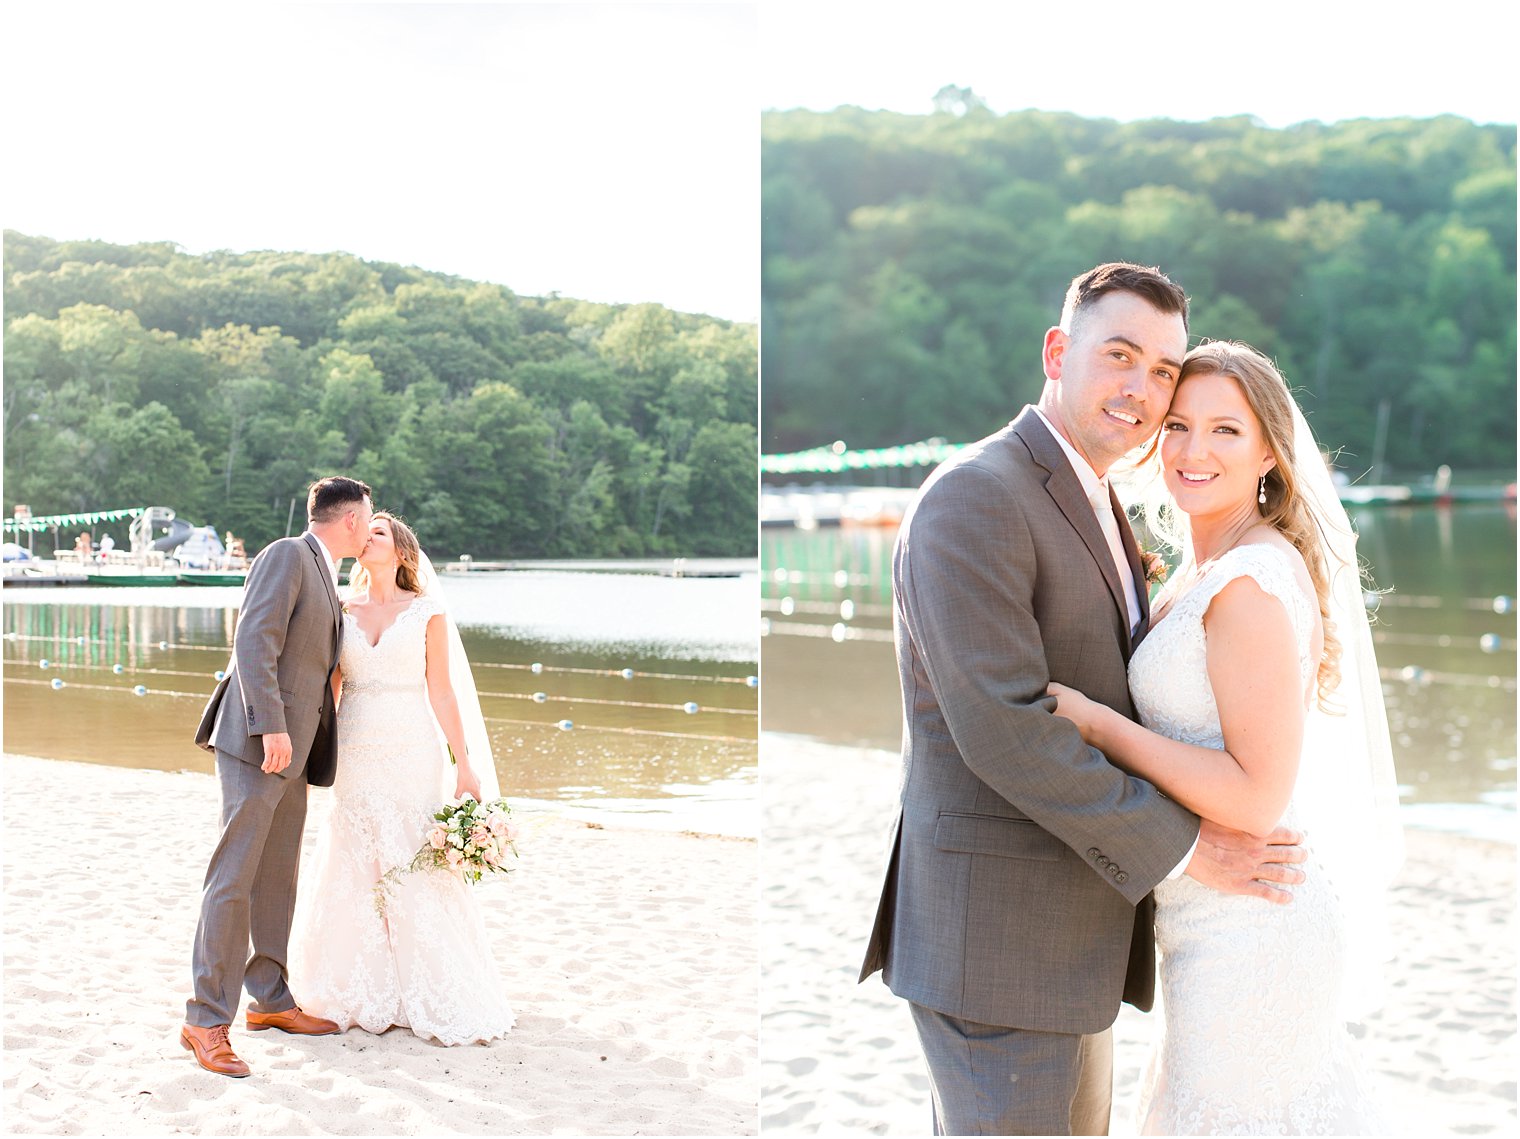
(249, 895)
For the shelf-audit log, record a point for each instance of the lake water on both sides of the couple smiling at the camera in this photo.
(1446, 650)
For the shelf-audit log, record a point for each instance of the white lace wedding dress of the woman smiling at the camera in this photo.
(1250, 991)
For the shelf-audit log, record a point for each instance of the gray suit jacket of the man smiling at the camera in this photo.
(1019, 883)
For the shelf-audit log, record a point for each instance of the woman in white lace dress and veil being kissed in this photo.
(425, 963)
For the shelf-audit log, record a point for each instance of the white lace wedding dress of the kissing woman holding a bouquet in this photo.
(425, 963)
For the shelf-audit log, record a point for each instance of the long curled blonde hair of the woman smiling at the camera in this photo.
(1285, 509)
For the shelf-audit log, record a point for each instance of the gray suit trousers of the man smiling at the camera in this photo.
(992, 1080)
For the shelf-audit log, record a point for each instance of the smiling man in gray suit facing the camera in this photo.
(1018, 907)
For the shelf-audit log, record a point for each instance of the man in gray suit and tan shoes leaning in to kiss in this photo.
(271, 725)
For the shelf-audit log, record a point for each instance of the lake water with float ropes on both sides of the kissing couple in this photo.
(546, 647)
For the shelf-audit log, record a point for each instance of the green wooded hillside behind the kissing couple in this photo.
(498, 425)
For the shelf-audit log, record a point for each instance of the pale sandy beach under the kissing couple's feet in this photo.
(630, 957)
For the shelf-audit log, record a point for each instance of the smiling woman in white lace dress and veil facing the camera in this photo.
(1259, 702)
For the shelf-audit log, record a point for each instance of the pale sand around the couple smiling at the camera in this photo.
(841, 1059)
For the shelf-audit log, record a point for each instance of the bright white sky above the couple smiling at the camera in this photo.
(1285, 62)
